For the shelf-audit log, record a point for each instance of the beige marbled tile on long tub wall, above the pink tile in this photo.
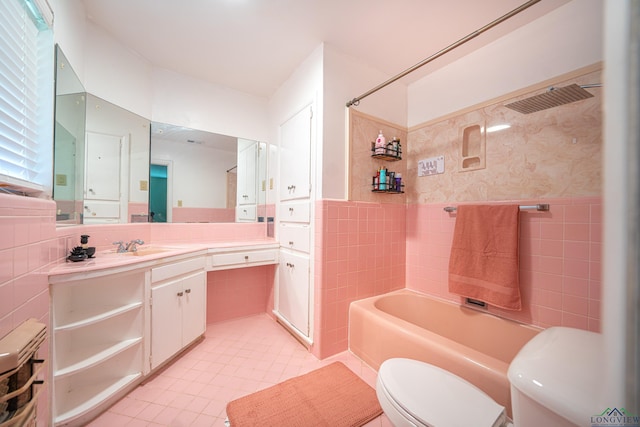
(553, 153)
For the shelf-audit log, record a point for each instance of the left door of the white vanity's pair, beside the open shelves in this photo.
(166, 321)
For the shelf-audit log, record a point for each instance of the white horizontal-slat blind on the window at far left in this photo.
(26, 98)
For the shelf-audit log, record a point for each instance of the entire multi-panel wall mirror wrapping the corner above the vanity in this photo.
(113, 166)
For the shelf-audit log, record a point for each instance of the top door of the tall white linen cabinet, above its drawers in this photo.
(295, 156)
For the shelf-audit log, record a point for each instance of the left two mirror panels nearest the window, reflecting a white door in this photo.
(101, 156)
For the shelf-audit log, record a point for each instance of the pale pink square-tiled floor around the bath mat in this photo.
(236, 358)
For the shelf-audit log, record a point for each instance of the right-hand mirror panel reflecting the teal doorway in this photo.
(199, 176)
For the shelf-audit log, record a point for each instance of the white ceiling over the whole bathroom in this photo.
(254, 45)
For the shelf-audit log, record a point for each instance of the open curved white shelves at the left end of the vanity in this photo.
(98, 348)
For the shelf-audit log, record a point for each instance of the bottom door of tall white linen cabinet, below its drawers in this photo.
(293, 290)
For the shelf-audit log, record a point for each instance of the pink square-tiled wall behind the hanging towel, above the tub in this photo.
(560, 260)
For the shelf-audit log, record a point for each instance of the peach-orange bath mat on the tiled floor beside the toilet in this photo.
(331, 396)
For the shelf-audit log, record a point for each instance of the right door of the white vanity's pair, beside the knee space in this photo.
(193, 307)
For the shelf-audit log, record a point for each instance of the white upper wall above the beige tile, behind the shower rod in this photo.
(564, 40)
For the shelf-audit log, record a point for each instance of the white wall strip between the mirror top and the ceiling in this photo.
(123, 77)
